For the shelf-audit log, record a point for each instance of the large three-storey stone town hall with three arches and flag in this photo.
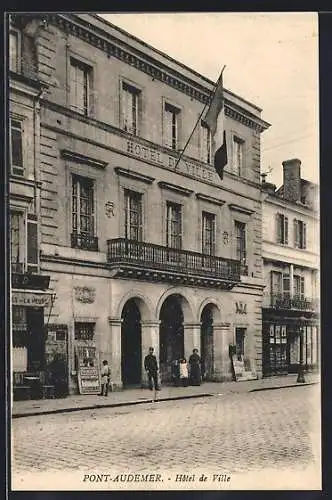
(141, 251)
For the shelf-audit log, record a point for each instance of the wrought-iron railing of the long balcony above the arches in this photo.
(149, 255)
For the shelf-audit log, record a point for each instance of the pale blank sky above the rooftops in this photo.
(271, 60)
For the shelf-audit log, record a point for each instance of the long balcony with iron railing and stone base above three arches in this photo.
(149, 262)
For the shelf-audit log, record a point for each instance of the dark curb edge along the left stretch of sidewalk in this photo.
(110, 405)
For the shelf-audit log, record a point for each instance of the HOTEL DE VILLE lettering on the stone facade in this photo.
(160, 158)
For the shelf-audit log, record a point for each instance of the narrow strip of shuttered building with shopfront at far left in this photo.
(30, 287)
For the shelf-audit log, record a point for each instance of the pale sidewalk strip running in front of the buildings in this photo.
(140, 396)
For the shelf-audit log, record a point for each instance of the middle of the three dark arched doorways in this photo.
(171, 335)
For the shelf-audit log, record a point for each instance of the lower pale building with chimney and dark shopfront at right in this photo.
(291, 270)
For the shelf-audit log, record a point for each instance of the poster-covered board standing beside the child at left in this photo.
(88, 369)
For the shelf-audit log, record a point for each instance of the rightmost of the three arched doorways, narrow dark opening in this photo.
(207, 351)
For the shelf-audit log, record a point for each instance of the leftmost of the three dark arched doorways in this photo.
(131, 344)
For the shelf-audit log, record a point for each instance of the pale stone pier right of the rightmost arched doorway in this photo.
(222, 363)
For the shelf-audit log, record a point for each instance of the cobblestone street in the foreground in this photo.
(223, 434)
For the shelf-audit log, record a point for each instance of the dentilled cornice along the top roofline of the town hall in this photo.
(157, 70)
